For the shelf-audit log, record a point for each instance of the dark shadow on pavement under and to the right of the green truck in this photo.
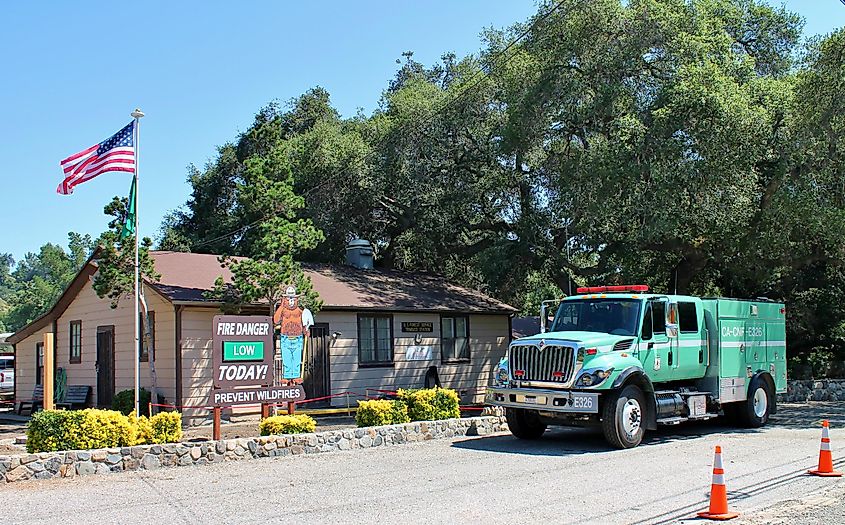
(560, 441)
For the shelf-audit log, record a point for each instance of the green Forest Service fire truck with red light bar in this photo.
(628, 360)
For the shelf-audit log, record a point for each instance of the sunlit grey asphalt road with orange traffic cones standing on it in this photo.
(570, 476)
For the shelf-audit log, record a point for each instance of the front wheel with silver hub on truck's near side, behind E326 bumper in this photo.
(623, 417)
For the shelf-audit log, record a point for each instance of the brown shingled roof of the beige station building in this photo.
(186, 276)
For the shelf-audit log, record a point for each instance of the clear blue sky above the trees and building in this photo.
(200, 70)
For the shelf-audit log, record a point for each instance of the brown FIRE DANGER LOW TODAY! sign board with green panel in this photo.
(242, 352)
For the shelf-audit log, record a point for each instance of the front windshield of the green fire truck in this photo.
(609, 316)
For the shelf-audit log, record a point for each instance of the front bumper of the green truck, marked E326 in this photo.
(566, 401)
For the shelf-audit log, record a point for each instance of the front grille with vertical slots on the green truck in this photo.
(551, 364)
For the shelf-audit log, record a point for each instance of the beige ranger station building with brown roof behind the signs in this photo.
(377, 329)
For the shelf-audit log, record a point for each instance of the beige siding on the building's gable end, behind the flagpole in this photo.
(94, 312)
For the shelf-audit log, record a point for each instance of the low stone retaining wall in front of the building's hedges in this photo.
(150, 457)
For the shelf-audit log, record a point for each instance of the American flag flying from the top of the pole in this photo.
(116, 153)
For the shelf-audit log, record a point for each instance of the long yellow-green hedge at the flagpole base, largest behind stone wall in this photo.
(51, 430)
